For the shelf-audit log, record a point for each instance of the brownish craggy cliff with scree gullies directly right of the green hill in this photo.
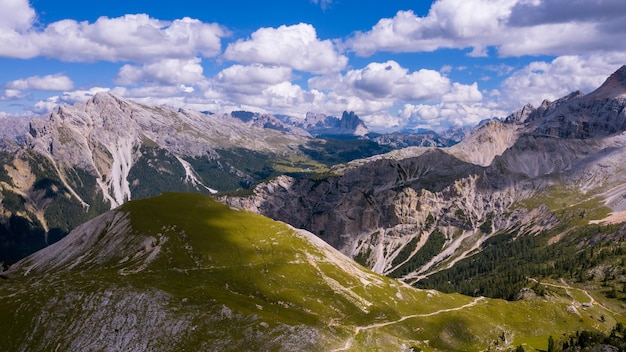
(375, 210)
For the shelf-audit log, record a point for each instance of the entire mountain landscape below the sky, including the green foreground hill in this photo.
(528, 208)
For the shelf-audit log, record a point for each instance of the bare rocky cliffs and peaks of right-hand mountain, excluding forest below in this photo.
(385, 211)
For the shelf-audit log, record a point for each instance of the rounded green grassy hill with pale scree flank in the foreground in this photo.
(184, 272)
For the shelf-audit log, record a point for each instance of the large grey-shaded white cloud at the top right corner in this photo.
(513, 27)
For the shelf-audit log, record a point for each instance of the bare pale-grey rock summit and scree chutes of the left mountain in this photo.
(104, 137)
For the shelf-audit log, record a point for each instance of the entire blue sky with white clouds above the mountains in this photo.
(396, 63)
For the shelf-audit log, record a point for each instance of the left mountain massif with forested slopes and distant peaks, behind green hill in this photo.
(64, 168)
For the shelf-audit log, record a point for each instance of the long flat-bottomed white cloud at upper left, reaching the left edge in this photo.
(133, 37)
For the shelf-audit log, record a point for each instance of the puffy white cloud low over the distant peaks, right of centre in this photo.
(426, 97)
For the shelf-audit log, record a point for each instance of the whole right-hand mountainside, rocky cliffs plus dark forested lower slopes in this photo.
(540, 194)
